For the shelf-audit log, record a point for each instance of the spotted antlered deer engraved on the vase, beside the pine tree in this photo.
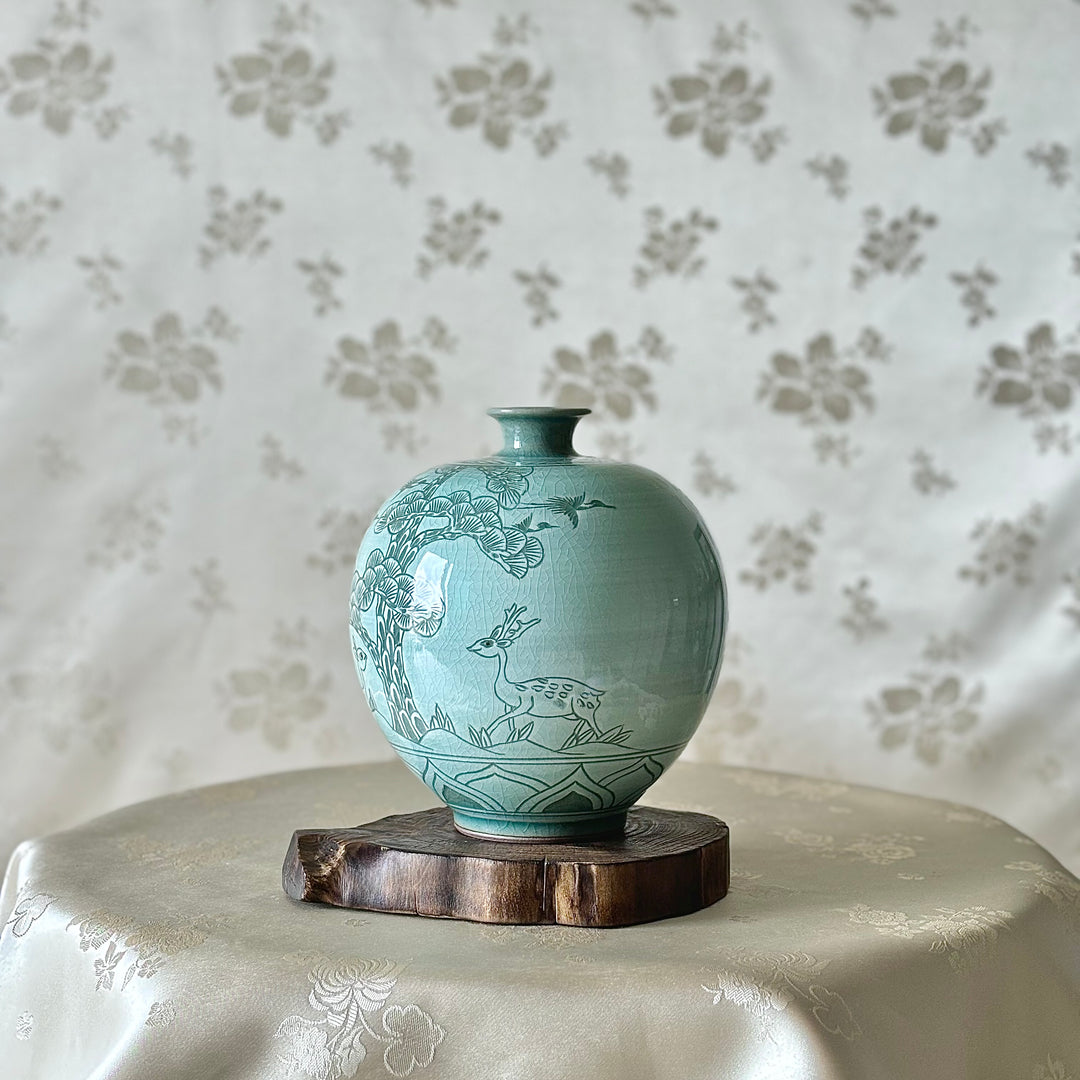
(546, 697)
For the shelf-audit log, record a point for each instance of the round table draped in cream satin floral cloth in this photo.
(867, 936)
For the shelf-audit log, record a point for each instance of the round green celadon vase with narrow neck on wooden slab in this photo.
(538, 633)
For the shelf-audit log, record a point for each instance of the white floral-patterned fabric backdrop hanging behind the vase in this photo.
(816, 263)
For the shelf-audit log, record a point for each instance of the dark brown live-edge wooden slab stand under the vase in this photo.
(669, 862)
